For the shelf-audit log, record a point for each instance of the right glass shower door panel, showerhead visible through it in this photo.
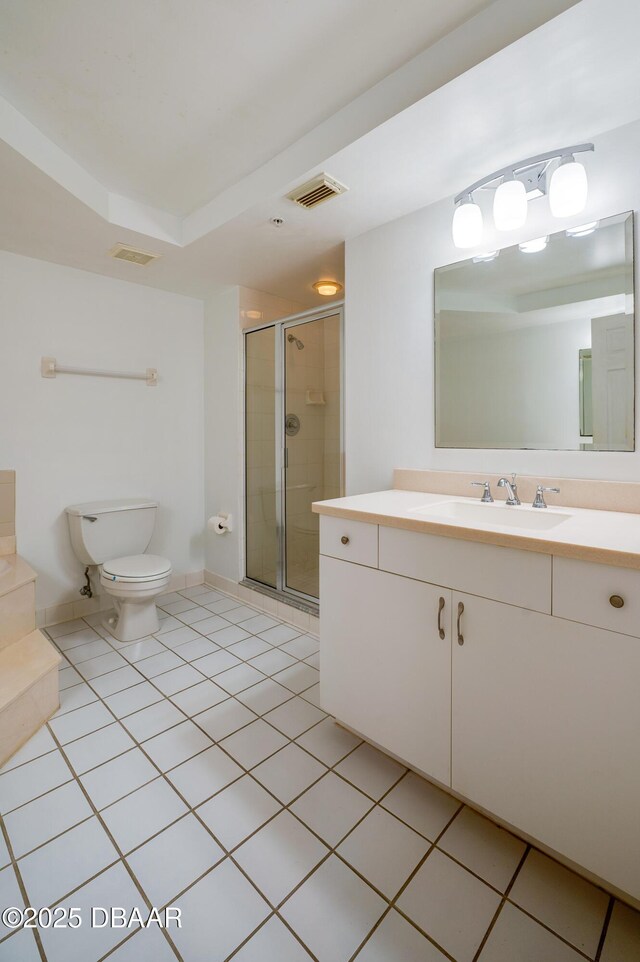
(312, 422)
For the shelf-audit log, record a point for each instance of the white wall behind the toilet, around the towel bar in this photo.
(76, 439)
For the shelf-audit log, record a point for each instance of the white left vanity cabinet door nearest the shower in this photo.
(384, 669)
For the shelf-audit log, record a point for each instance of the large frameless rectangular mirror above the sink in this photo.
(536, 349)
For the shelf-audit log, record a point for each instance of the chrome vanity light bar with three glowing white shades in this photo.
(517, 184)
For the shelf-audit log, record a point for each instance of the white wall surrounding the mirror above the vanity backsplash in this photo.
(389, 336)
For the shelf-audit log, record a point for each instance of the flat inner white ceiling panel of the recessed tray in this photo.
(172, 102)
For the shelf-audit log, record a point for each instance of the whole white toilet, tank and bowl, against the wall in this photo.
(113, 535)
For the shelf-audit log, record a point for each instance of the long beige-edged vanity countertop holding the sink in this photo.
(604, 537)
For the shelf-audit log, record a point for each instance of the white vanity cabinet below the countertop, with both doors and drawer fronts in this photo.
(535, 717)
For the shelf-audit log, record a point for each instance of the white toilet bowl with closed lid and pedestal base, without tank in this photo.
(134, 583)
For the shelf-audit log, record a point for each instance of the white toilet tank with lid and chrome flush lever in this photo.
(103, 530)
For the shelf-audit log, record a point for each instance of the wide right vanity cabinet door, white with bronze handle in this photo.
(546, 732)
